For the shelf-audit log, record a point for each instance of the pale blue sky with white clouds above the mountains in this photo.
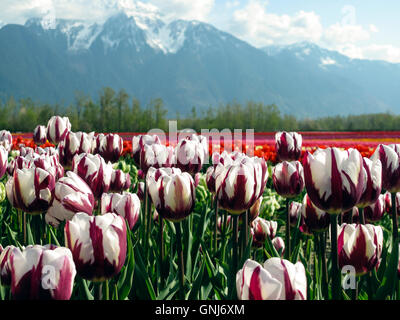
(365, 29)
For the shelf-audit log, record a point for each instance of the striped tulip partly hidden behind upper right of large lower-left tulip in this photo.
(127, 205)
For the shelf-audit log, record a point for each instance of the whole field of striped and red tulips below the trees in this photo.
(128, 216)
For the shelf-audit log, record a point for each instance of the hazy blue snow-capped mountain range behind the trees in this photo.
(186, 63)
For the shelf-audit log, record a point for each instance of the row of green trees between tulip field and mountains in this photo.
(116, 111)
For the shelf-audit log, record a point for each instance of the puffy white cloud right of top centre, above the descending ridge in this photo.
(254, 24)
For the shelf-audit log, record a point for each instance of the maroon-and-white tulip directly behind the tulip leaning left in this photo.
(94, 171)
